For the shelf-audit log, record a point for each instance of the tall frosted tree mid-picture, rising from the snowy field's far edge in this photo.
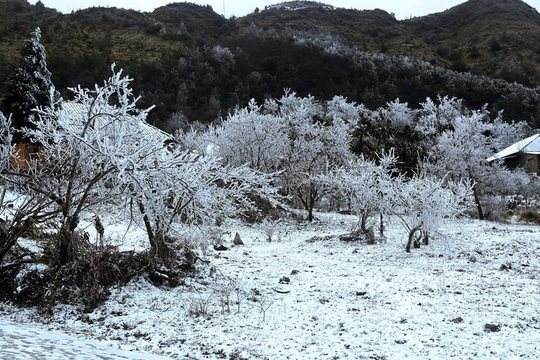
(315, 145)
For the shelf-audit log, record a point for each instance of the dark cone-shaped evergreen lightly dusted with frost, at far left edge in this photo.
(31, 84)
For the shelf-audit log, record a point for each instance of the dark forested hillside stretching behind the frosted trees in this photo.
(194, 64)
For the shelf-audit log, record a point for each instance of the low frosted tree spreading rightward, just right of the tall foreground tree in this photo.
(175, 186)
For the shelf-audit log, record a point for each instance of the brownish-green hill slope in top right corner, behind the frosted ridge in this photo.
(496, 38)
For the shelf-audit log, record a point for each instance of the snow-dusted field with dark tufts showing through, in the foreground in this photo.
(473, 293)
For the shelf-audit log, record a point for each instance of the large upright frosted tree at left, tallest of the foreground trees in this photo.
(84, 146)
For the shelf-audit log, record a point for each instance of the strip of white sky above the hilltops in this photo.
(402, 9)
